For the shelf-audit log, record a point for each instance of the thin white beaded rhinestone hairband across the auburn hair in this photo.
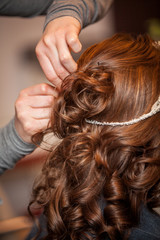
(155, 109)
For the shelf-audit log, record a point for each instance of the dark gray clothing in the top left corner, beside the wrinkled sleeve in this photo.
(24, 8)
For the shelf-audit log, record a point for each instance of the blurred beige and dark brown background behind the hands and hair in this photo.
(19, 69)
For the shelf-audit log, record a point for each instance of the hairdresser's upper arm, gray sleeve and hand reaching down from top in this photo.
(62, 27)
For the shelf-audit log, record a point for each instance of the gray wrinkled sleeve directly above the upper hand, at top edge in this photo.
(85, 11)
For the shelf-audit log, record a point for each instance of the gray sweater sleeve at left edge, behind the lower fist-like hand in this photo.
(12, 147)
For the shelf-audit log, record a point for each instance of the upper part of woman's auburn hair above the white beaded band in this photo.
(117, 80)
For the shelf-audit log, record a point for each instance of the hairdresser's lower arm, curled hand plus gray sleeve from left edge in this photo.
(33, 108)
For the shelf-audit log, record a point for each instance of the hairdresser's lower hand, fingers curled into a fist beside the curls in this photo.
(33, 108)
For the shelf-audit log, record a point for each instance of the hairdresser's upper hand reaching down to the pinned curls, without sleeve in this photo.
(54, 49)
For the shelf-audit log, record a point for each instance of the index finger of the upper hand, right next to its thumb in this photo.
(65, 56)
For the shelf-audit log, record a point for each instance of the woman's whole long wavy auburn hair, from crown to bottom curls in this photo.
(96, 180)
